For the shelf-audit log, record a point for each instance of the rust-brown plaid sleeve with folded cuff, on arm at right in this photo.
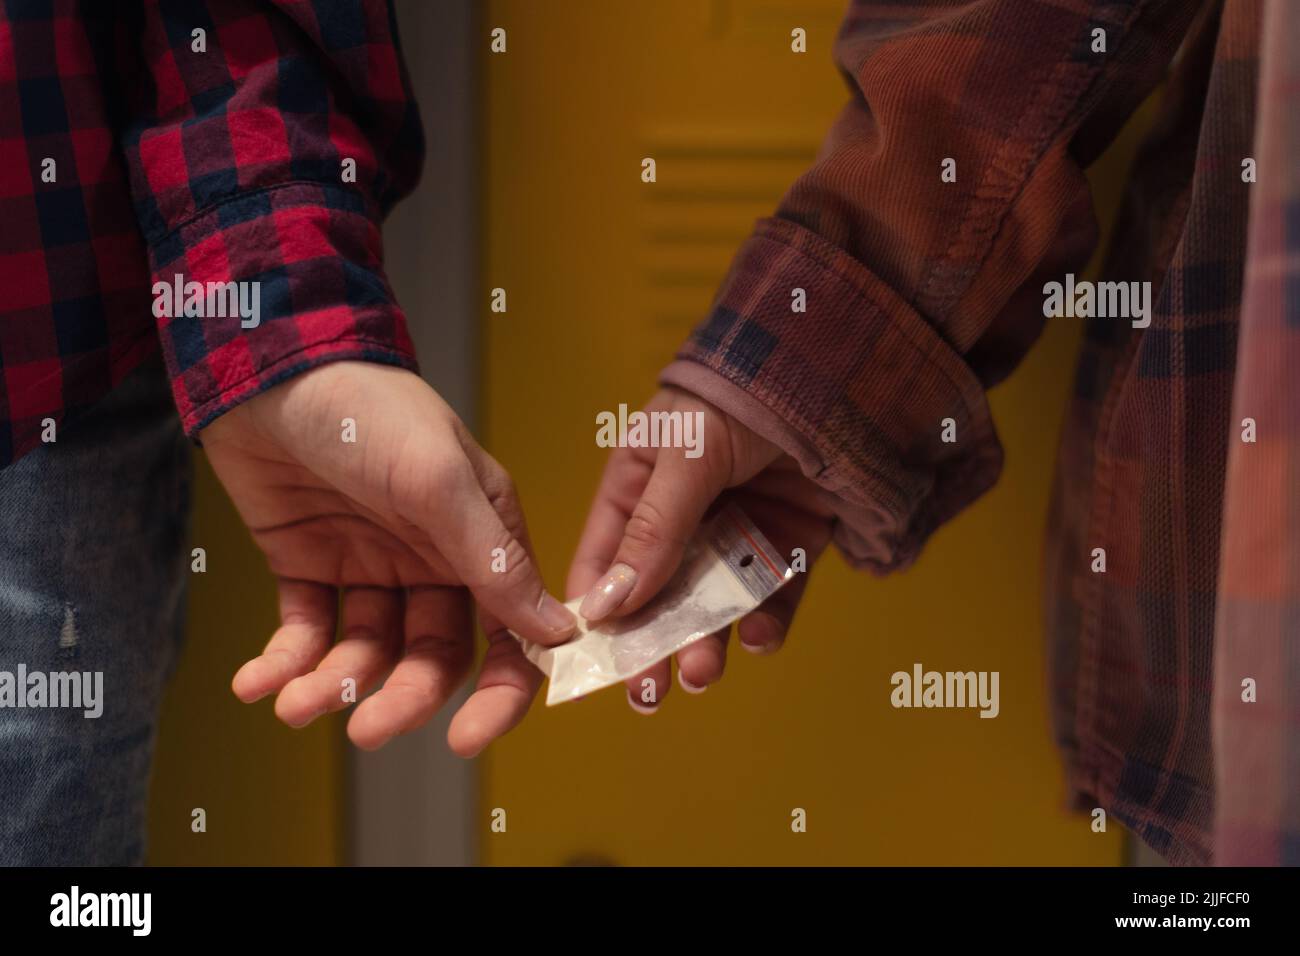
(924, 291)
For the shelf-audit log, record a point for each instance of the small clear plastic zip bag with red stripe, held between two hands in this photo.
(729, 570)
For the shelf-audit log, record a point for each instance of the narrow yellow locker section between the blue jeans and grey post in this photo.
(271, 797)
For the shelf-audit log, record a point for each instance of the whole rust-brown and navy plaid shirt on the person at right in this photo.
(922, 295)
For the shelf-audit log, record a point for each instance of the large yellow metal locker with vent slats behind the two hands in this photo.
(605, 276)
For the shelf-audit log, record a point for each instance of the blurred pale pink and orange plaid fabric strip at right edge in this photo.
(1258, 626)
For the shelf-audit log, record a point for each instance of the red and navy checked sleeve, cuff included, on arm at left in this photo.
(237, 148)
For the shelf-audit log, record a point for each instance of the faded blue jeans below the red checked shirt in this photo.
(93, 577)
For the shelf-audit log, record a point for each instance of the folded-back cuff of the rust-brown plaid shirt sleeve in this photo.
(856, 390)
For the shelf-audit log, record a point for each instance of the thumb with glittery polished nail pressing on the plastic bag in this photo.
(675, 499)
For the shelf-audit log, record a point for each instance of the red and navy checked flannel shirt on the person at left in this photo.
(215, 155)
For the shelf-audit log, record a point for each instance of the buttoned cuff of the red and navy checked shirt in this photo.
(306, 266)
